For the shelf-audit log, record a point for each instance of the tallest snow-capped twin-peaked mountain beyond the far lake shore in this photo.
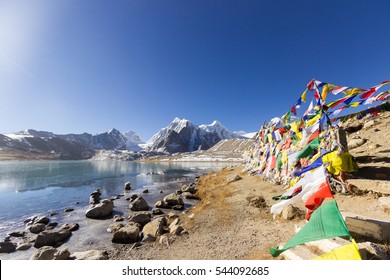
(181, 135)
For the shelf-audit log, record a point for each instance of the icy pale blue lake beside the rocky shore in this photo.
(41, 187)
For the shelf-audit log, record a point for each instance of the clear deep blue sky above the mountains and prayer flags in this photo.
(88, 66)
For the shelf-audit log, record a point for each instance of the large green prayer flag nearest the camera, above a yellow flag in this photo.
(325, 222)
